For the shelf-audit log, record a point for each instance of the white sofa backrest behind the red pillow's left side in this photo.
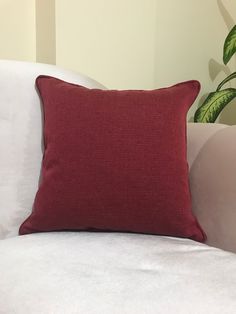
(20, 137)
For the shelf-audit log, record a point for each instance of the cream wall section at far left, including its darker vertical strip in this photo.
(27, 30)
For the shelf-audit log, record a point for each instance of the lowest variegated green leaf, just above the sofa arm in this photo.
(213, 105)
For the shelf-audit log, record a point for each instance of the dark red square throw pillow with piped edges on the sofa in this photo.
(114, 161)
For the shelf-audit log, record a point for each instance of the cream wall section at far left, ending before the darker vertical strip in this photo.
(17, 30)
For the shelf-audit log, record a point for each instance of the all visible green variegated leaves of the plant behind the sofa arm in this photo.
(217, 100)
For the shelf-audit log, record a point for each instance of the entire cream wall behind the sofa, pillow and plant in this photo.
(125, 43)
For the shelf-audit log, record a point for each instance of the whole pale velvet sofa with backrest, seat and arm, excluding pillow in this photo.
(88, 273)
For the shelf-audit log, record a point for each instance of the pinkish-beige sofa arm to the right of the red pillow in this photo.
(211, 156)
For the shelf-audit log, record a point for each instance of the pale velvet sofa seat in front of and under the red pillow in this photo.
(94, 273)
